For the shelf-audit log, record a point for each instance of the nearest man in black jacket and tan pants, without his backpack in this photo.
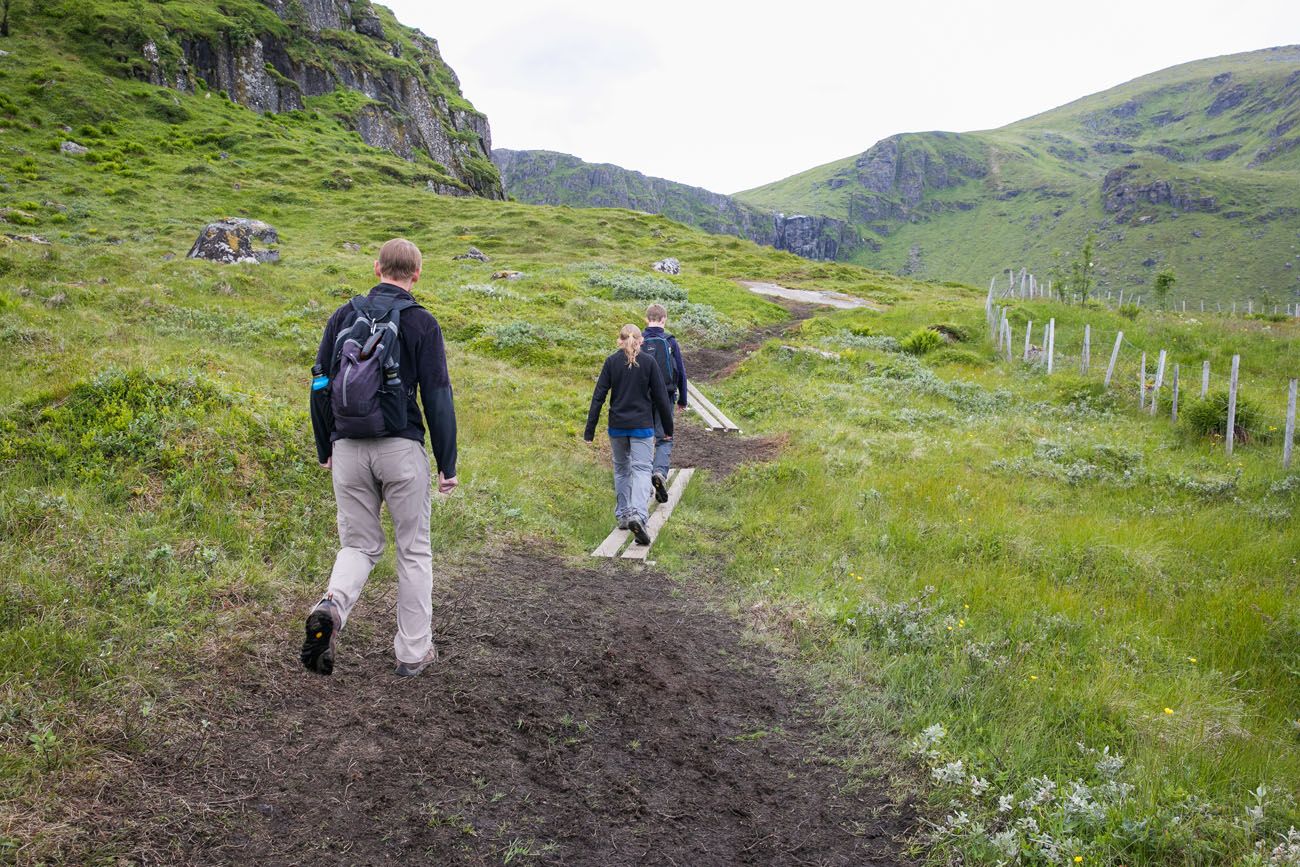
(392, 469)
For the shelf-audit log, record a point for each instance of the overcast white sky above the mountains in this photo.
(729, 96)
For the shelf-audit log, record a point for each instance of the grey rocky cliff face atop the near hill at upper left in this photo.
(413, 99)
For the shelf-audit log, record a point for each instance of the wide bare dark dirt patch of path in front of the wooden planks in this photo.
(582, 716)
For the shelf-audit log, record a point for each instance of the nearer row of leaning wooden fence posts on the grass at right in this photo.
(1156, 378)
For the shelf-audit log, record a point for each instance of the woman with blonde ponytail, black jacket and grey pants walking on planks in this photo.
(636, 391)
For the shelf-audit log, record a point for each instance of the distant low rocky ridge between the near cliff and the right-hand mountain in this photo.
(545, 177)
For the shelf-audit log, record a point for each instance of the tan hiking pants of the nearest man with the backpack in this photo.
(367, 474)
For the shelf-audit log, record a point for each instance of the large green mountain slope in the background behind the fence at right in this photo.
(1197, 167)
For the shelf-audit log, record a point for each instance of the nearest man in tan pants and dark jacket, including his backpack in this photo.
(380, 458)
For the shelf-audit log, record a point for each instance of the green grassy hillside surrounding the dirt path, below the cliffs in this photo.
(1038, 593)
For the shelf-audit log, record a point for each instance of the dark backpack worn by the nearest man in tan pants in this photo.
(367, 397)
